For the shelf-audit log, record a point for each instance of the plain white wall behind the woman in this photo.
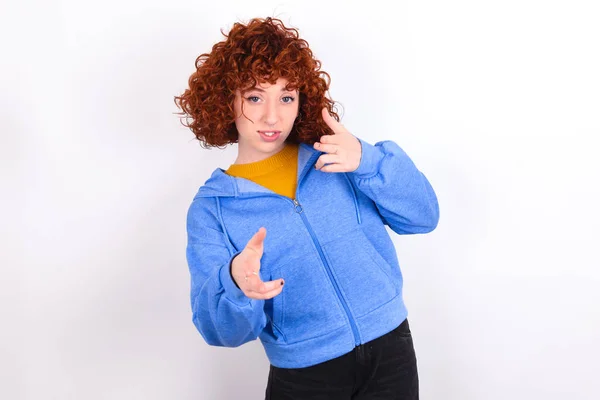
(496, 102)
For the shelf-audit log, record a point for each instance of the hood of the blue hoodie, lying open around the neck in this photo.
(221, 184)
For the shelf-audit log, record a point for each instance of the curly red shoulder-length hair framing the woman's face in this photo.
(261, 51)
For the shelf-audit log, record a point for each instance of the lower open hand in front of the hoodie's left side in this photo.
(245, 269)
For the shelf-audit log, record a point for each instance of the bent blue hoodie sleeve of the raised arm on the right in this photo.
(403, 195)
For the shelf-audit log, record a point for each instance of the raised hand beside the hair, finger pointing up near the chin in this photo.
(343, 150)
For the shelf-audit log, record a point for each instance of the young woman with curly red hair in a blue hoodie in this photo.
(289, 245)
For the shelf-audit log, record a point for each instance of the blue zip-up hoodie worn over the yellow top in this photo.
(343, 285)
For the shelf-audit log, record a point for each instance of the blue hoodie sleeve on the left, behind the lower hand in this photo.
(223, 315)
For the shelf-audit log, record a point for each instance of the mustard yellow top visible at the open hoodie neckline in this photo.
(277, 172)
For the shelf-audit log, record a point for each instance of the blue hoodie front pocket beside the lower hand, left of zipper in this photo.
(307, 307)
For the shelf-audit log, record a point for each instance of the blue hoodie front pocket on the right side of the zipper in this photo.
(364, 276)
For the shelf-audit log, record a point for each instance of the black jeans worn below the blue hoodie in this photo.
(384, 369)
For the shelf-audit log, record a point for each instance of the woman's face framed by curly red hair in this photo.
(267, 110)
